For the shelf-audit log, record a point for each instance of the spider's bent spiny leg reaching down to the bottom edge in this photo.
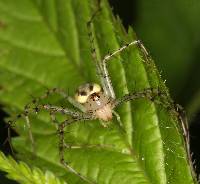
(62, 144)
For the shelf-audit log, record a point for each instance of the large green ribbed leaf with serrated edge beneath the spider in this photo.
(45, 44)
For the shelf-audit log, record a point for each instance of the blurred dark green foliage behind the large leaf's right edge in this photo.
(173, 38)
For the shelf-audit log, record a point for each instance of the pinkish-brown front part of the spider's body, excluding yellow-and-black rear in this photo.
(99, 105)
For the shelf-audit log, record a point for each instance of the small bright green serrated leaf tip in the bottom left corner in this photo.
(23, 174)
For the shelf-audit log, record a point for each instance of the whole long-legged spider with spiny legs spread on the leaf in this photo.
(92, 100)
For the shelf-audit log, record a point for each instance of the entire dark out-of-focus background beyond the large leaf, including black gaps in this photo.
(170, 31)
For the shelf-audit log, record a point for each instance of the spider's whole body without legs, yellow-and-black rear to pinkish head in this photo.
(95, 101)
